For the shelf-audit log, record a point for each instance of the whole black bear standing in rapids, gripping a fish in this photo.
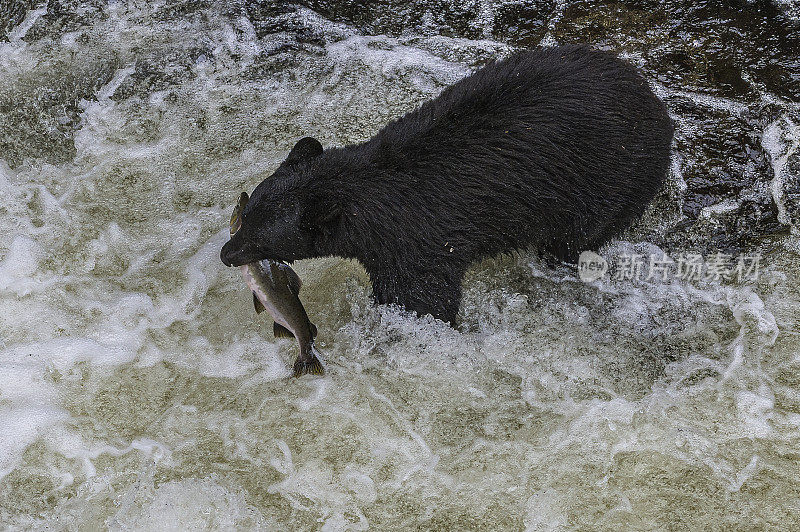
(556, 148)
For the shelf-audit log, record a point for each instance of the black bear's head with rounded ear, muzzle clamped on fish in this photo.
(286, 219)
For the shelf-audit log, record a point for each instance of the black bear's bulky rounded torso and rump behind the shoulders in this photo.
(565, 141)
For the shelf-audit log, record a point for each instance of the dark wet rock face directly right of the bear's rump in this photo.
(727, 204)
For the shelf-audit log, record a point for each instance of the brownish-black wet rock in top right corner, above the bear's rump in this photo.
(726, 50)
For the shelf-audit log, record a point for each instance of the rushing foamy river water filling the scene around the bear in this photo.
(139, 390)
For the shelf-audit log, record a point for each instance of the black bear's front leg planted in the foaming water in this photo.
(434, 292)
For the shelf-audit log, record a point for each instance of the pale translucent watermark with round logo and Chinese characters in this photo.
(716, 267)
